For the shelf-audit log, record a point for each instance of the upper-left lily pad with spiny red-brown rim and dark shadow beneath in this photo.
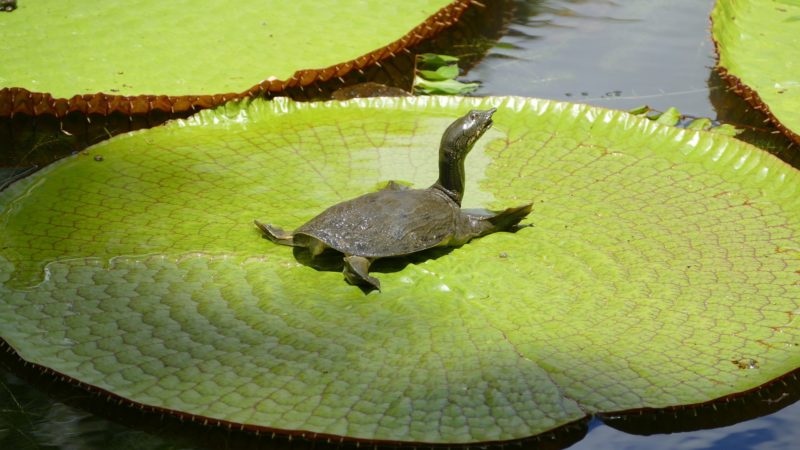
(129, 67)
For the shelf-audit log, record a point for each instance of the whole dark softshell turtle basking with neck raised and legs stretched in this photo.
(399, 221)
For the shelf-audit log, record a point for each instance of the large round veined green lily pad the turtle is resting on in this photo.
(661, 270)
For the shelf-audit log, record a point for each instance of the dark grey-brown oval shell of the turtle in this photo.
(386, 223)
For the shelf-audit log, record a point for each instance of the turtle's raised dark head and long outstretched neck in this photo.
(457, 141)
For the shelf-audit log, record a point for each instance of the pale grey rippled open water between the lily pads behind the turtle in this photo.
(608, 53)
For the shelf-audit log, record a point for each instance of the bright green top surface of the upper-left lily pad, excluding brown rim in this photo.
(182, 47)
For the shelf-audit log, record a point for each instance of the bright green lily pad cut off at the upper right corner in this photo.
(758, 42)
